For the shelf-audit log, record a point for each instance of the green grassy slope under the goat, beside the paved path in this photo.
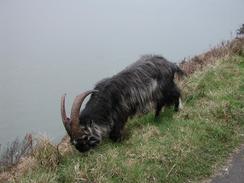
(180, 147)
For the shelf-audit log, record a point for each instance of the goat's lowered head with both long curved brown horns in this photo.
(82, 137)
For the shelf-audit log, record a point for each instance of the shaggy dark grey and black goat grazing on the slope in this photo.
(147, 82)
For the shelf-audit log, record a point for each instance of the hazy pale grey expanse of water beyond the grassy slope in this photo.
(48, 48)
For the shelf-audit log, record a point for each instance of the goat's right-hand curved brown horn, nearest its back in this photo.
(75, 111)
